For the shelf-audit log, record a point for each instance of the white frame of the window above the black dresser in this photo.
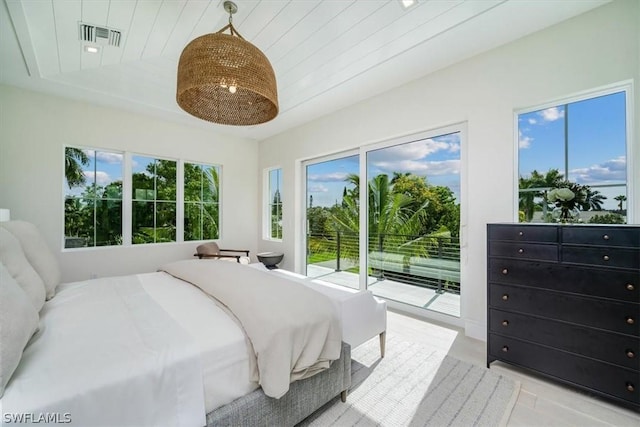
(623, 86)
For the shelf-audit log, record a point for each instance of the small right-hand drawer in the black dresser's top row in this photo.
(605, 236)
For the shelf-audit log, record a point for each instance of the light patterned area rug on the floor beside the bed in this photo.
(414, 385)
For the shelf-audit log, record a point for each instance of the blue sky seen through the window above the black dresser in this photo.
(597, 142)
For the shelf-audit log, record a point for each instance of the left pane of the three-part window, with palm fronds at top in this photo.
(93, 198)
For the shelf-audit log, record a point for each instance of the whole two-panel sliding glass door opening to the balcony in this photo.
(401, 201)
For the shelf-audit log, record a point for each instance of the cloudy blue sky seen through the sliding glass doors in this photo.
(436, 158)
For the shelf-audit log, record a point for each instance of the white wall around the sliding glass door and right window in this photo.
(591, 50)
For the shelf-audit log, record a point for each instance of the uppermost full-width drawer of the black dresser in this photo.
(620, 285)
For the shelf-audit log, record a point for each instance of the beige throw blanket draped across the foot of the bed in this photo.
(295, 332)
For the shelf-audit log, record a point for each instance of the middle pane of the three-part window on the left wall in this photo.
(154, 200)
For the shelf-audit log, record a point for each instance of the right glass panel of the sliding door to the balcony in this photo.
(413, 223)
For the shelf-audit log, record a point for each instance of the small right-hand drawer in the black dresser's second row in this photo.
(606, 257)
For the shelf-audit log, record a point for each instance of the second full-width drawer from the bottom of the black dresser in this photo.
(615, 348)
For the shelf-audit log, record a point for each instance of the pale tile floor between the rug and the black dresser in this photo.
(540, 402)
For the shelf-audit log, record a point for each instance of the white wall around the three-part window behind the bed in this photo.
(33, 131)
